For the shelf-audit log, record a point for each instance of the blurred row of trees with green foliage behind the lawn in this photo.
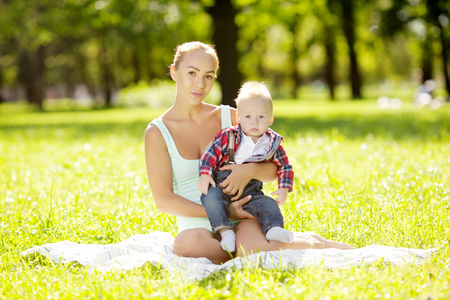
(96, 48)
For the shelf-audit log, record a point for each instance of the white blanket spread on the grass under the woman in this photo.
(156, 248)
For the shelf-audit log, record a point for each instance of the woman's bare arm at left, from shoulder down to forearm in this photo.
(159, 172)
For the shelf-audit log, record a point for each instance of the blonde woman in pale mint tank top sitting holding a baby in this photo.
(173, 145)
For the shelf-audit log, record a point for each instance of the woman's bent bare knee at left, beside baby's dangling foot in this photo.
(200, 242)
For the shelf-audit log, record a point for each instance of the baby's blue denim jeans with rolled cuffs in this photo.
(264, 208)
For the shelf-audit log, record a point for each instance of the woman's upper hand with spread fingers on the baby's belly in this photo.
(240, 176)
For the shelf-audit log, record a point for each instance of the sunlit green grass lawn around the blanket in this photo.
(362, 175)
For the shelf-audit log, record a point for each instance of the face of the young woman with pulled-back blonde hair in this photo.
(195, 75)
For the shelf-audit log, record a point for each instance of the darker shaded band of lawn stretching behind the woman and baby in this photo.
(432, 127)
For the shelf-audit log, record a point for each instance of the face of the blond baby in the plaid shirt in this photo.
(255, 116)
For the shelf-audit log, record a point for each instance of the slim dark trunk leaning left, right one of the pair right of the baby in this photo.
(349, 31)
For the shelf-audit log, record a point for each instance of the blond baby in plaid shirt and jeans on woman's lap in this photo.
(250, 141)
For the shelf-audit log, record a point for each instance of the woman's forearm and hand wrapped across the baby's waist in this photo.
(241, 174)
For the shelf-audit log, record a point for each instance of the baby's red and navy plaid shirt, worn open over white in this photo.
(217, 155)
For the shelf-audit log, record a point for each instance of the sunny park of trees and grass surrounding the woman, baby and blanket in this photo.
(80, 80)
